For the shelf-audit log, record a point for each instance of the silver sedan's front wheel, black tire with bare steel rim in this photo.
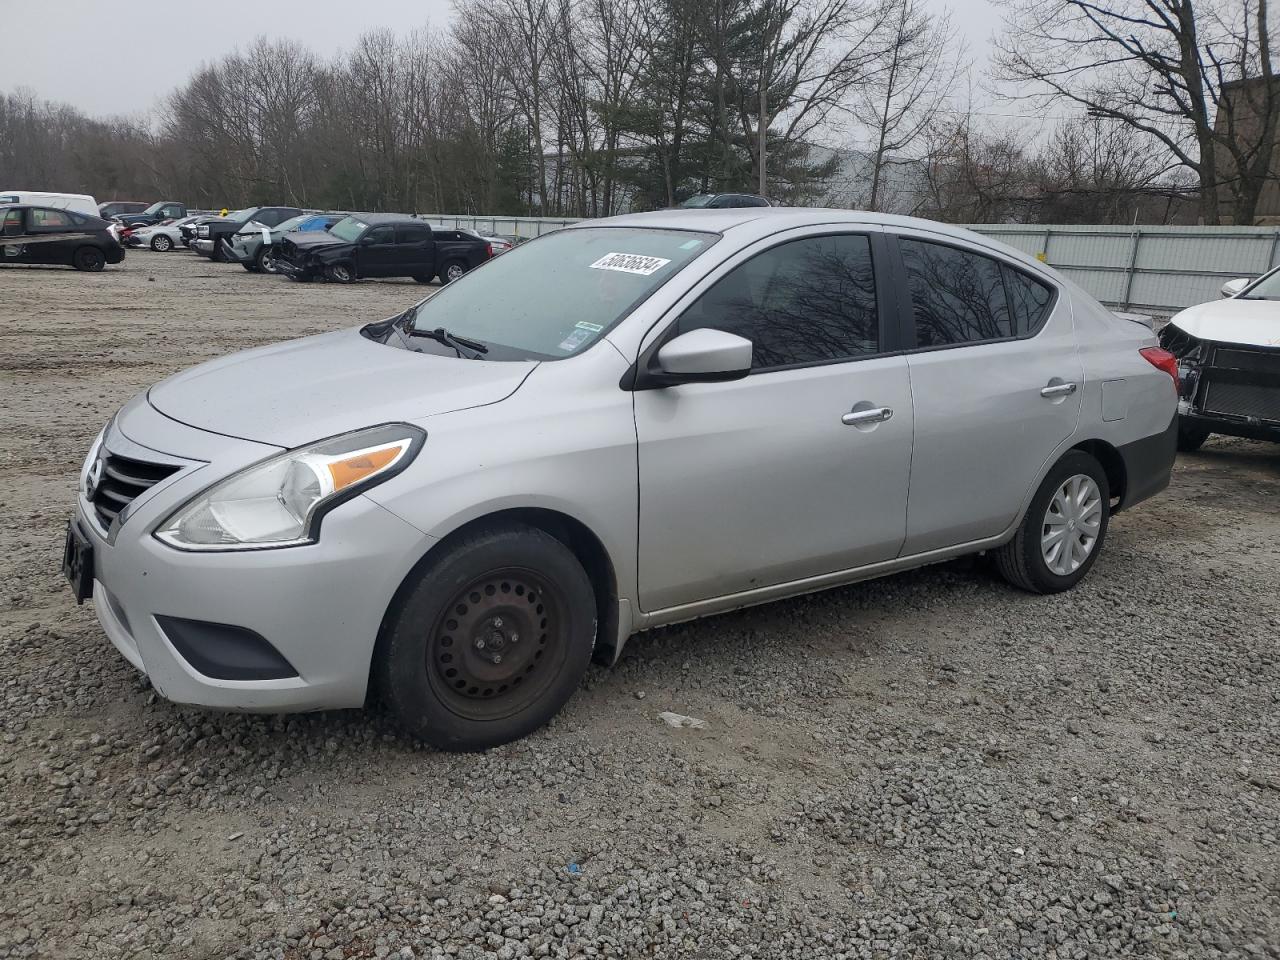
(440, 665)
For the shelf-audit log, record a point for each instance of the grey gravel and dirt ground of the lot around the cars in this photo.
(929, 766)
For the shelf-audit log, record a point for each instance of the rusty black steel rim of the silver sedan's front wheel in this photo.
(499, 644)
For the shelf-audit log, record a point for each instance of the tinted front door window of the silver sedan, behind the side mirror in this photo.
(807, 301)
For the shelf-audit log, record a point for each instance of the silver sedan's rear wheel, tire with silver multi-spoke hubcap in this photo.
(1026, 563)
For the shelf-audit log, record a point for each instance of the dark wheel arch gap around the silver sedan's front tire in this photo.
(572, 532)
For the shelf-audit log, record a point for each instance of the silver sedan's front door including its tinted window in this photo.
(802, 468)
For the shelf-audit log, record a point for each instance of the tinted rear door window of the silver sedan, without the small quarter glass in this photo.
(957, 296)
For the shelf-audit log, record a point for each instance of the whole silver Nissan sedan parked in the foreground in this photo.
(623, 424)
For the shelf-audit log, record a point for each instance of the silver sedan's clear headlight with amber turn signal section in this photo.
(281, 501)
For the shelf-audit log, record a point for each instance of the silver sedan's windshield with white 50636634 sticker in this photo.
(556, 296)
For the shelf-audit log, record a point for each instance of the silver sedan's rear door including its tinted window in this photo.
(996, 381)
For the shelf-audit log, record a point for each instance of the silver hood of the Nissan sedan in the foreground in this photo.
(303, 391)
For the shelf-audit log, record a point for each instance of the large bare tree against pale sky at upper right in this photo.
(1192, 76)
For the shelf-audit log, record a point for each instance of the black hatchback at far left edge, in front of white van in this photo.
(40, 235)
